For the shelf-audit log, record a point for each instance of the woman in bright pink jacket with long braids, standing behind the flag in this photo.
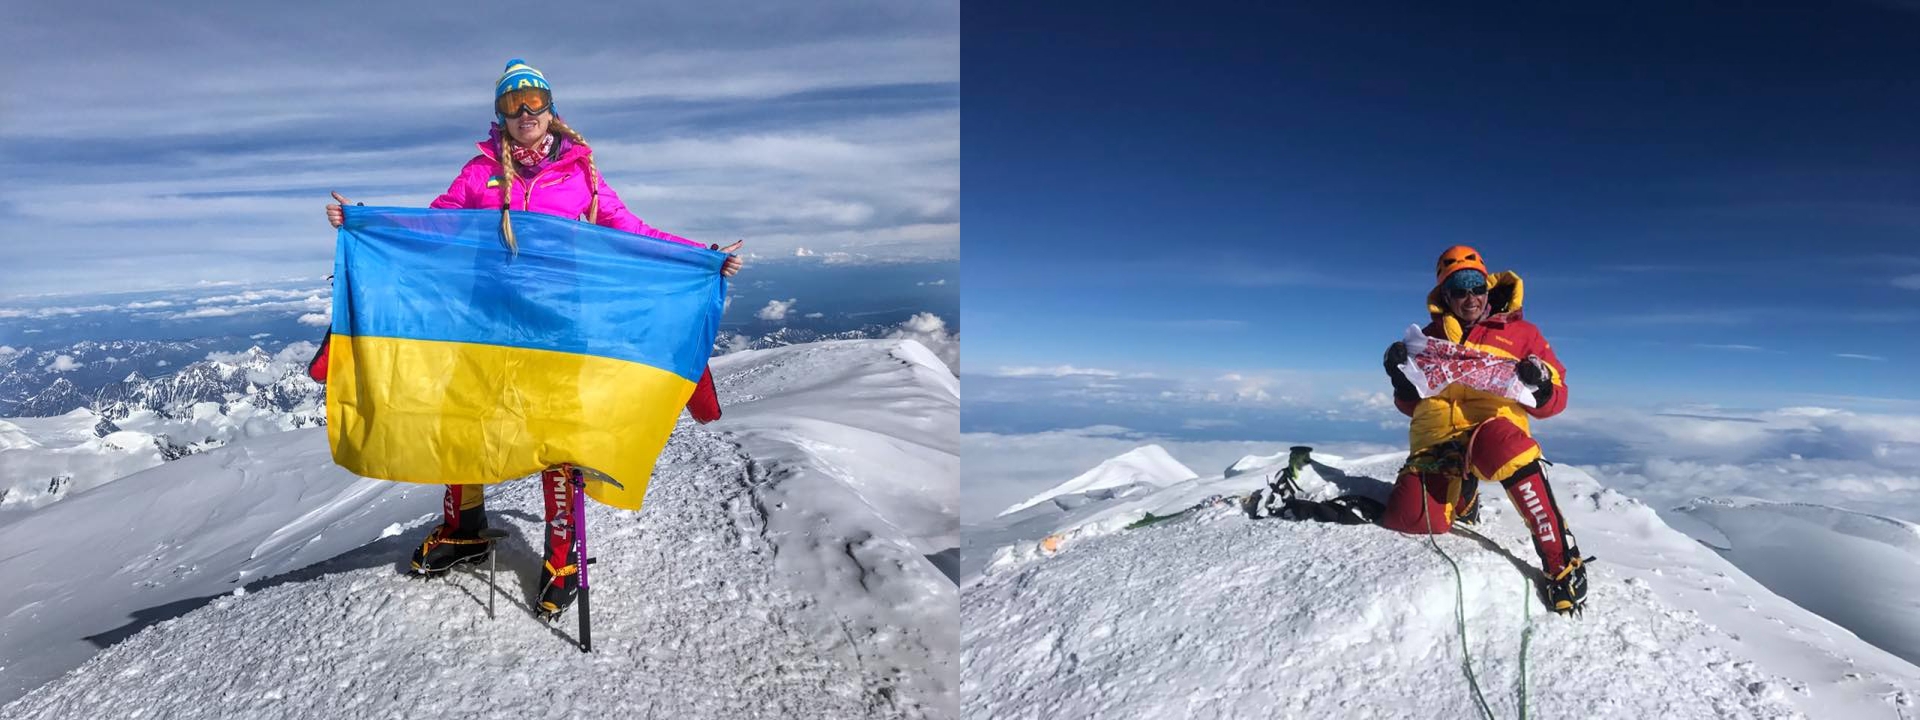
(529, 162)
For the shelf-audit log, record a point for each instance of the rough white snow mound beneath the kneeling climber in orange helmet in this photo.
(1214, 615)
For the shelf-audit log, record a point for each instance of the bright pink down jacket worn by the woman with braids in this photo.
(558, 189)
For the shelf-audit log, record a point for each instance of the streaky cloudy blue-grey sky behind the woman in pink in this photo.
(162, 147)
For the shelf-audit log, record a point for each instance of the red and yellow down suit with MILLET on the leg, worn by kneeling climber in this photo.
(1468, 433)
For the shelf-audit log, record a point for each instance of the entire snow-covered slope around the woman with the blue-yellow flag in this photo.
(709, 604)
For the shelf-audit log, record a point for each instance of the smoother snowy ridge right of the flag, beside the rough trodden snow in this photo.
(863, 496)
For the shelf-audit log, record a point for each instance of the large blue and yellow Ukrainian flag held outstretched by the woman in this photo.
(460, 362)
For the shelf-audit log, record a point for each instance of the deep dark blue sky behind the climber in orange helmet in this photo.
(1708, 203)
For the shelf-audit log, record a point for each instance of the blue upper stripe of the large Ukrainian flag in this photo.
(573, 287)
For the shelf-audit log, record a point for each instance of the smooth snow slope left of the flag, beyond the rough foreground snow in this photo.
(103, 560)
